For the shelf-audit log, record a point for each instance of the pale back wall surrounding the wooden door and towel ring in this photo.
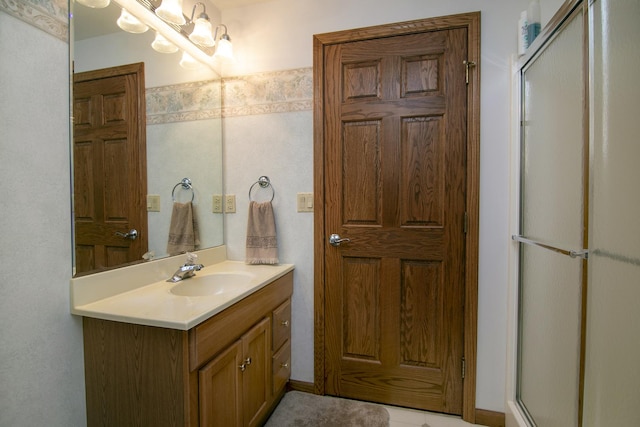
(279, 144)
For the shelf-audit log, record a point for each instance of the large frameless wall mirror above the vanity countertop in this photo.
(181, 138)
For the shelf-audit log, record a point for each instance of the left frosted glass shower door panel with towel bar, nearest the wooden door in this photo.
(552, 224)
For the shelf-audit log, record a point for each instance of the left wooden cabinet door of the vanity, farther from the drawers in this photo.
(221, 389)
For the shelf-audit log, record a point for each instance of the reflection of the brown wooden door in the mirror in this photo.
(110, 168)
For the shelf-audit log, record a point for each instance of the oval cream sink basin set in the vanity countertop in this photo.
(212, 284)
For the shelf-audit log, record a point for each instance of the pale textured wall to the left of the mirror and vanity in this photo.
(41, 362)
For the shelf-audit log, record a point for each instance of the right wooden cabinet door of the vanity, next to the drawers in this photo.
(256, 347)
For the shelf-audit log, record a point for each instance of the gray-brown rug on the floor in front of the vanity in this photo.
(299, 409)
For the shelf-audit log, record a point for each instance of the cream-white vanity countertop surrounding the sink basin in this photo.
(154, 304)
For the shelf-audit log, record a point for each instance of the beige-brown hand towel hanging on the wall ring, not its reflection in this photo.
(262, 245)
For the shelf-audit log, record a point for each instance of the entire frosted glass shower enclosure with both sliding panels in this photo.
(578, 333)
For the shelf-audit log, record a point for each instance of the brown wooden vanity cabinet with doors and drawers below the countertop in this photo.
(230, 370)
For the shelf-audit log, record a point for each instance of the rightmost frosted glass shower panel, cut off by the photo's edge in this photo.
(612, 372)
